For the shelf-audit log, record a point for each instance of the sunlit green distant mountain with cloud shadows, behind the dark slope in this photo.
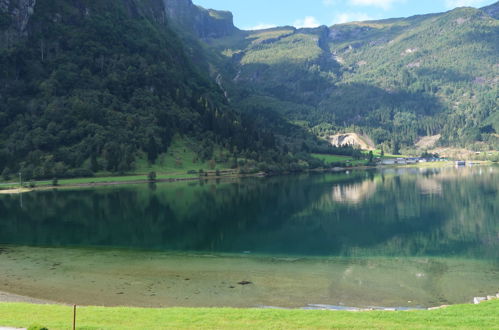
(396, 80)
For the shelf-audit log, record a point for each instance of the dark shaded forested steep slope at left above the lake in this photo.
(89, 86)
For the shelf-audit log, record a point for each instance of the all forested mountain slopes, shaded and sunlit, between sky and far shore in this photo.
(92, 86)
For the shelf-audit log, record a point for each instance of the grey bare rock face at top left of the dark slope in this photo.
(14, 19)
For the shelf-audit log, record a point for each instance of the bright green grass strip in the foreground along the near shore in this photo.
(483, 316)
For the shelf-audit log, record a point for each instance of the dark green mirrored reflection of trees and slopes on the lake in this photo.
(363, 213)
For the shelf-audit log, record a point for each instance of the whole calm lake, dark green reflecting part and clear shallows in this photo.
(393, 237)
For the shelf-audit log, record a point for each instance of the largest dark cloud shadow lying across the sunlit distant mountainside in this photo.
(305, 92)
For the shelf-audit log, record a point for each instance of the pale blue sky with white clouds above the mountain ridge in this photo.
(251, 14)
